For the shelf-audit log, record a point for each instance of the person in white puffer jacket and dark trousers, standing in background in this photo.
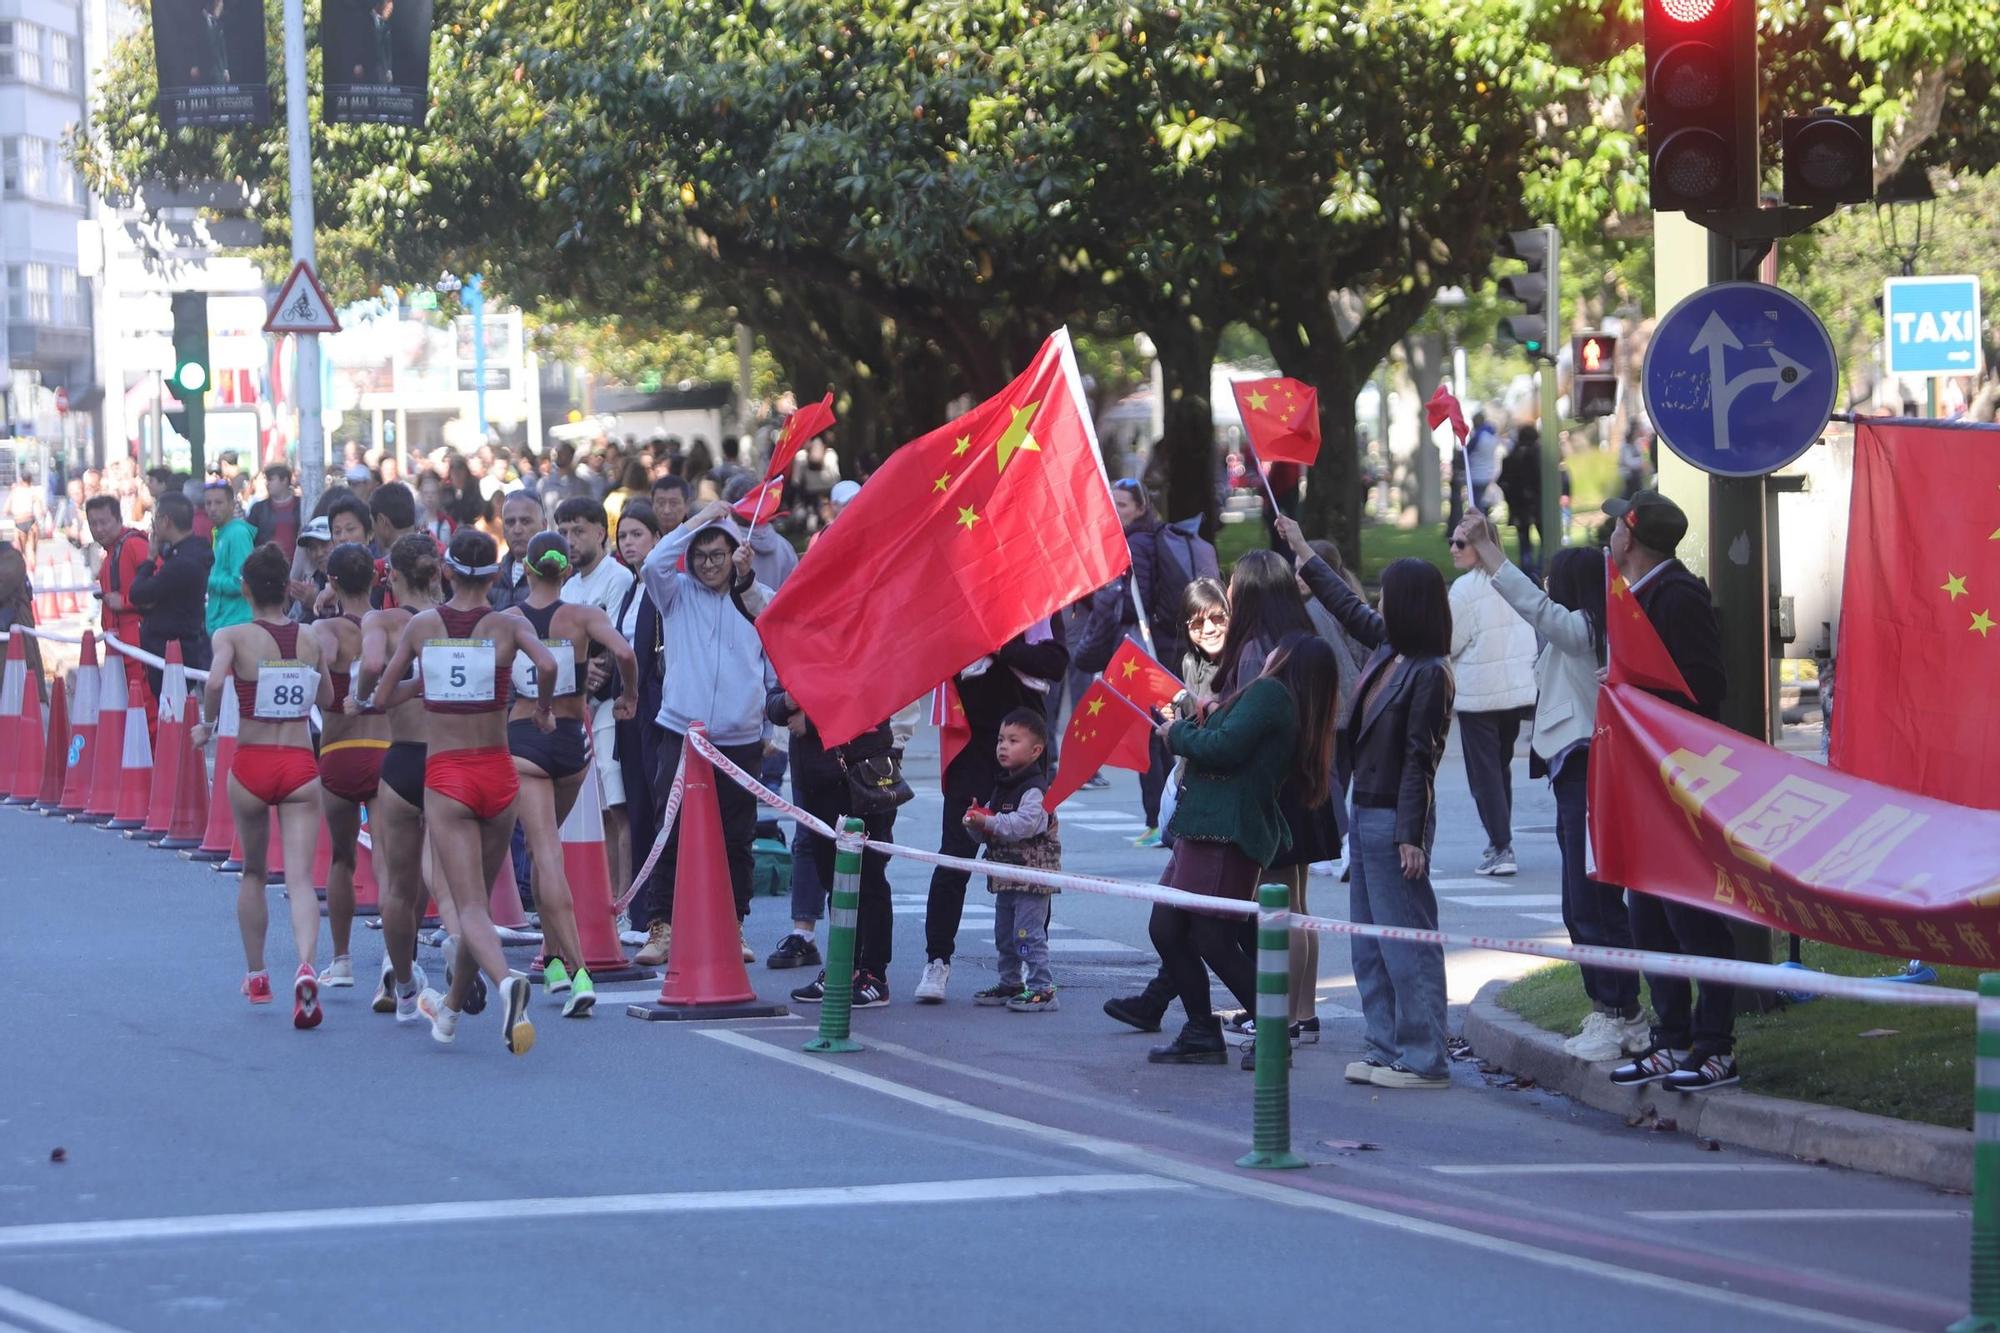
(1493, 668)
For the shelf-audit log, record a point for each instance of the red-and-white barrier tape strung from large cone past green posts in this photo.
(1755, 976)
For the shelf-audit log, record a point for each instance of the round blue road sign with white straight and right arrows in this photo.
(1741, 379)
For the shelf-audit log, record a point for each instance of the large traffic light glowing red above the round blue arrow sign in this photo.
(1701, 105)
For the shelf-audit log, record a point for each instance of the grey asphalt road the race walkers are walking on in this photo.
(223, 1172)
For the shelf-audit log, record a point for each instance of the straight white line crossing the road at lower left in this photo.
(541, 1210)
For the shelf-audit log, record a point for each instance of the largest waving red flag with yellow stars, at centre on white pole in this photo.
(961, 541)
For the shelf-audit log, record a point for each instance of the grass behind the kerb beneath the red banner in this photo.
(1919, 1072)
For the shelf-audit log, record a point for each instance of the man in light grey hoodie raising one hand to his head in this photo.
(717, 676)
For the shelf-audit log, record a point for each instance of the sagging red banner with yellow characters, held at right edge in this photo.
(1693, 812)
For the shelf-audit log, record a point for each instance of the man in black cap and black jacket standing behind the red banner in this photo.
(1695, 1038)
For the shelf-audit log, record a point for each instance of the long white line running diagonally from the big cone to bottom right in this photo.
(1245, 1186)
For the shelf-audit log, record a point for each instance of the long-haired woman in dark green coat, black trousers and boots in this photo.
(1227, 828)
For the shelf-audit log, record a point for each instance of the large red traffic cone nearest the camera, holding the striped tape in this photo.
(705, 974)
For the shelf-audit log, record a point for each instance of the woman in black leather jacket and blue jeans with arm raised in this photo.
(1397, 734)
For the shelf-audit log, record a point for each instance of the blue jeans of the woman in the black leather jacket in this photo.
(1403, 986)
